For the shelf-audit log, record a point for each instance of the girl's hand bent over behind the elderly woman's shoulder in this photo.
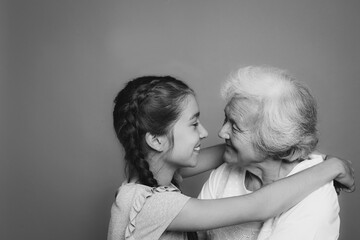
(346, 178)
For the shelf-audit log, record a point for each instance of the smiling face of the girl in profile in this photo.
(187, 134)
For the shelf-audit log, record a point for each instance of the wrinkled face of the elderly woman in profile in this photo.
(237, 130)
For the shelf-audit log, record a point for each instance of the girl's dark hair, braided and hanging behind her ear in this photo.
(149, 104)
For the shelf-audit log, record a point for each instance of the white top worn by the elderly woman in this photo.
(316, 217)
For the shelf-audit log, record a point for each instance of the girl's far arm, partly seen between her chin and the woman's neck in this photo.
(209, 158)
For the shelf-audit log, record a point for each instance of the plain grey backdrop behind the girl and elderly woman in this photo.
(62, 62)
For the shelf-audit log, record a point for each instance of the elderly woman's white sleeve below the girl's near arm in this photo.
(315, 218)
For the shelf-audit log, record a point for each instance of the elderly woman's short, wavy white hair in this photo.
(287, 113)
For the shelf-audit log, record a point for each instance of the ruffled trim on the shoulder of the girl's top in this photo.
(142, 195)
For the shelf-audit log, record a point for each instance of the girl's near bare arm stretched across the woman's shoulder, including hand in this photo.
(265, 203)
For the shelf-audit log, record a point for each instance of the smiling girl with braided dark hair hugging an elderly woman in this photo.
(156, 119)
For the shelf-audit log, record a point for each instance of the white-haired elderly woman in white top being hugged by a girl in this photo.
(270, 133)
